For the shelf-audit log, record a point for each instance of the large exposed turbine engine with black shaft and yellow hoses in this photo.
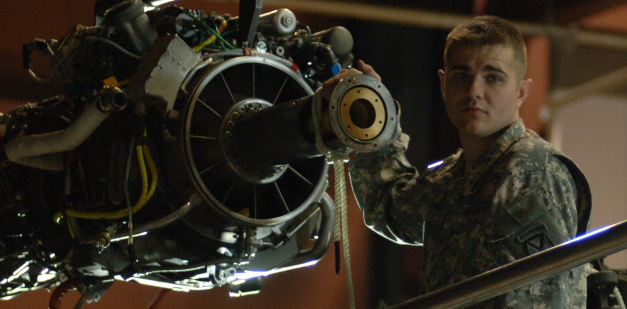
(179, 152)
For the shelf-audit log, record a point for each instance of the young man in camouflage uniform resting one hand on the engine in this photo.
(505, 195)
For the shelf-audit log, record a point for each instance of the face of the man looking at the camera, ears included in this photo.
(482, 91)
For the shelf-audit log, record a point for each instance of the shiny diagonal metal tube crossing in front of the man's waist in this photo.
(525, 271)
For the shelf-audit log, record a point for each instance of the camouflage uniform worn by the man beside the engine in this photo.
(520, 197)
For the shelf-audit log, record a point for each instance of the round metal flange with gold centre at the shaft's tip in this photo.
(362, 113)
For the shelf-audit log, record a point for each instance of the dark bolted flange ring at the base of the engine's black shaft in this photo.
(250, 171)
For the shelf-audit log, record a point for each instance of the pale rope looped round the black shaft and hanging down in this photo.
(337, 158)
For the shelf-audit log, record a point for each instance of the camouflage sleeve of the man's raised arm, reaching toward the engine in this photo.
(383, 183)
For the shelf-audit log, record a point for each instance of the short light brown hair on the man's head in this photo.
(487, 30)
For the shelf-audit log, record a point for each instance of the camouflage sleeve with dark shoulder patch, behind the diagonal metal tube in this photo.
(550, 207)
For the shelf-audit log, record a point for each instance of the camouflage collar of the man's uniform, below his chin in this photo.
(500, 145)
